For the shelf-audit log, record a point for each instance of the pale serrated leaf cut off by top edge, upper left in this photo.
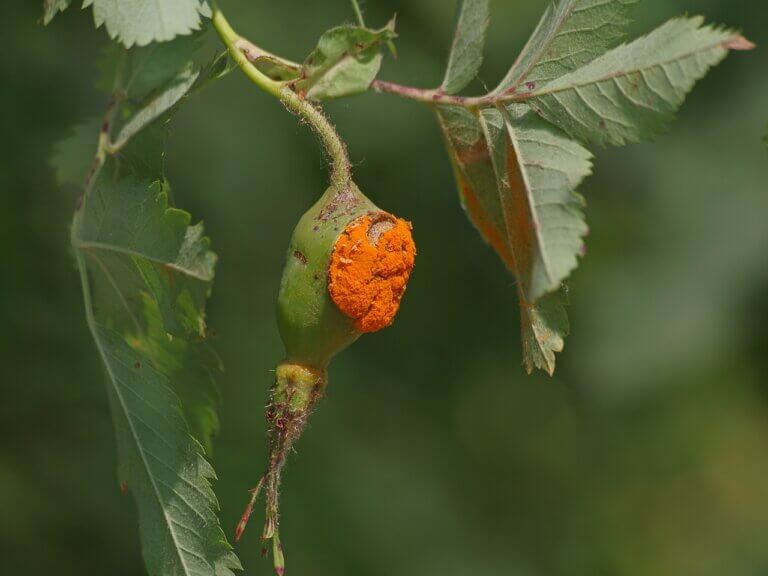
(141, 22)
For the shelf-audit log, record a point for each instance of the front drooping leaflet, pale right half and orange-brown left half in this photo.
(538, 169)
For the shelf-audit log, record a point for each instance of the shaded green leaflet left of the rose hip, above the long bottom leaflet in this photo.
(140, 247)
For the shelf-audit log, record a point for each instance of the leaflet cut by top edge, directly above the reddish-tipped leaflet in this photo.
(570, 34)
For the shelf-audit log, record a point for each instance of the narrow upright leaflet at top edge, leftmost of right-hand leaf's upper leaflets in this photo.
(466, 56)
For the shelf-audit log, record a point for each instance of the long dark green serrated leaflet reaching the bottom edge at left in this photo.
(162, 466)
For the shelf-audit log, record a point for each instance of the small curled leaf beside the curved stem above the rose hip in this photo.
(345, 62)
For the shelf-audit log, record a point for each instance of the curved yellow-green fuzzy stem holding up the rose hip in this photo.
(294, 103)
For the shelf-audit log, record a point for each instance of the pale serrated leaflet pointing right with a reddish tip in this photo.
(632, 92)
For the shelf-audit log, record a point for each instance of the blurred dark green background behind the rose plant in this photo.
(433, 454)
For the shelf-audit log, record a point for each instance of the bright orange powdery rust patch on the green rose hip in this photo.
(369, 270)
